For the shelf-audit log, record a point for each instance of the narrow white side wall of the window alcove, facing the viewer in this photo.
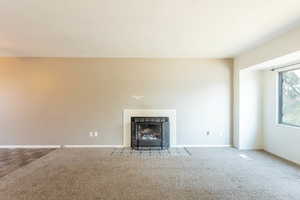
(250, 109)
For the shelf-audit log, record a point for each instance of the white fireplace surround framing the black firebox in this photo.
(128, 113)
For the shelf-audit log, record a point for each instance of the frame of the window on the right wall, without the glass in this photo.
(280, 99)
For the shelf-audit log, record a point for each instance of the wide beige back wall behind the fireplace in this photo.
(59, 101)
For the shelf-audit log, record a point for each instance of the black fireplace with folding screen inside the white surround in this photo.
(150, 133)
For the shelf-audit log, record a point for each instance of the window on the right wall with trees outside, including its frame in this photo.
(289, 97)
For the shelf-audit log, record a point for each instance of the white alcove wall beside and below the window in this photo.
(281, 140)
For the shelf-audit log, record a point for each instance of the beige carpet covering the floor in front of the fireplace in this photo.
(203, 174)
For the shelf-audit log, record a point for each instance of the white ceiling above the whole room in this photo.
(141, 28)
